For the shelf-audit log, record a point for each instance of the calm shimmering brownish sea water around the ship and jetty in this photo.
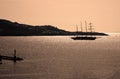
(61, 58)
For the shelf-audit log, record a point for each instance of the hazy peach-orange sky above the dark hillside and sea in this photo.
(104, 14)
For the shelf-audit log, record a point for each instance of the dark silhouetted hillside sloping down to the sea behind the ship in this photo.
(8, 28)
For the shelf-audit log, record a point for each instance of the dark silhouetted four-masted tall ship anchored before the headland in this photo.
(84, 35)
